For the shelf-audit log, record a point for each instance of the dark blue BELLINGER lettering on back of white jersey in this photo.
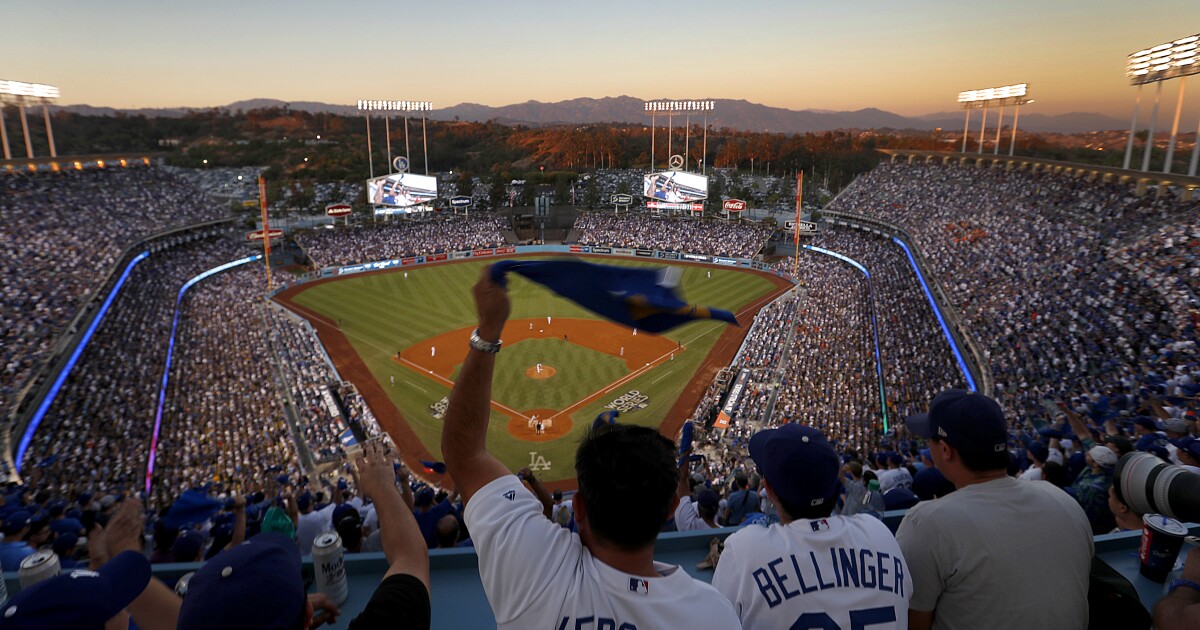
(843, 568)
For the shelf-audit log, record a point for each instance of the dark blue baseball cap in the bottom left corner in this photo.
(80, 599)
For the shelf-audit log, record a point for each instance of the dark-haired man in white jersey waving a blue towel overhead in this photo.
(539, 575)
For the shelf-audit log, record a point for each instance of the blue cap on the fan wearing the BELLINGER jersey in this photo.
(799, 463)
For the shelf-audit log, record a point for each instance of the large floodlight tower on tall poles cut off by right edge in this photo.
(1171, 61)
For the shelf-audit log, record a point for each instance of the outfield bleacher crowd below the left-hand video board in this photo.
(404, 238)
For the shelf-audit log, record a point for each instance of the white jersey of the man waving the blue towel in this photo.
(539, 575)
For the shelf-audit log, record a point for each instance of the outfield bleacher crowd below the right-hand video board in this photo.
(719, 238)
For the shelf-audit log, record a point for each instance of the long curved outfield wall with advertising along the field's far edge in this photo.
(524, 250)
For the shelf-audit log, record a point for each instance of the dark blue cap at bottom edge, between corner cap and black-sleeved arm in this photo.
(256, 585)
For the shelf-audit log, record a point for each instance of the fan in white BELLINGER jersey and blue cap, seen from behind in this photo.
(812, 569)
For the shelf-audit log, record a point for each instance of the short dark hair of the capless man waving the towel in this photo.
(628, 479)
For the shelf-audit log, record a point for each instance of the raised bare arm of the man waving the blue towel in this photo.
(465, 431)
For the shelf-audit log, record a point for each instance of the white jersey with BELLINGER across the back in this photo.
(842, 572)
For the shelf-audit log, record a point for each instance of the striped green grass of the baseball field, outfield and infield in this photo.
(383, 314)
